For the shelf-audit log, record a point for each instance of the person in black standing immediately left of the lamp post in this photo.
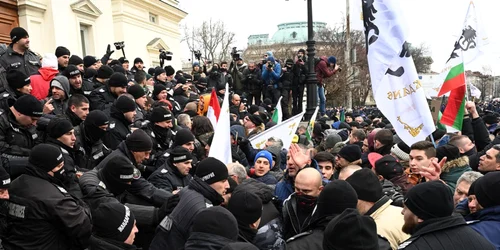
(299, 79)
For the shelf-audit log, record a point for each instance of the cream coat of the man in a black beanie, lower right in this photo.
(389, 221)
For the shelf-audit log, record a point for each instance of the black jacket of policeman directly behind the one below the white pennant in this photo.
(168, 178)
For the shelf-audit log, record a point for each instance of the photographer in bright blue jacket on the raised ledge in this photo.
(271, 73)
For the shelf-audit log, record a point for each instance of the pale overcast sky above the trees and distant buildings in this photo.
(436, 23)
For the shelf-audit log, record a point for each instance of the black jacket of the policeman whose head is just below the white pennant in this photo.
(174, 229)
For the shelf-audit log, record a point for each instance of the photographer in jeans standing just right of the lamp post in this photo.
(324, 68)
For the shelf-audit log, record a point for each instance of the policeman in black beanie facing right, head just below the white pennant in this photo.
(205, 190)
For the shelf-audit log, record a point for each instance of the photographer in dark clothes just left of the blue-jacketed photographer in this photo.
(252, 80)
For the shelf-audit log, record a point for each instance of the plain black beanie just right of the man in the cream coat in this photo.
(429, 200)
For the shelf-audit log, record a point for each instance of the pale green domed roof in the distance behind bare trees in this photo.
(295, 32)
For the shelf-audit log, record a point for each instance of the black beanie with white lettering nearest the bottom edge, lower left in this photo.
(112, 220)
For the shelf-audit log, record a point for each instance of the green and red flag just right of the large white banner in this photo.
(453, 114)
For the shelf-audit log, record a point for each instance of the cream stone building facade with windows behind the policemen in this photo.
(86, 27)
